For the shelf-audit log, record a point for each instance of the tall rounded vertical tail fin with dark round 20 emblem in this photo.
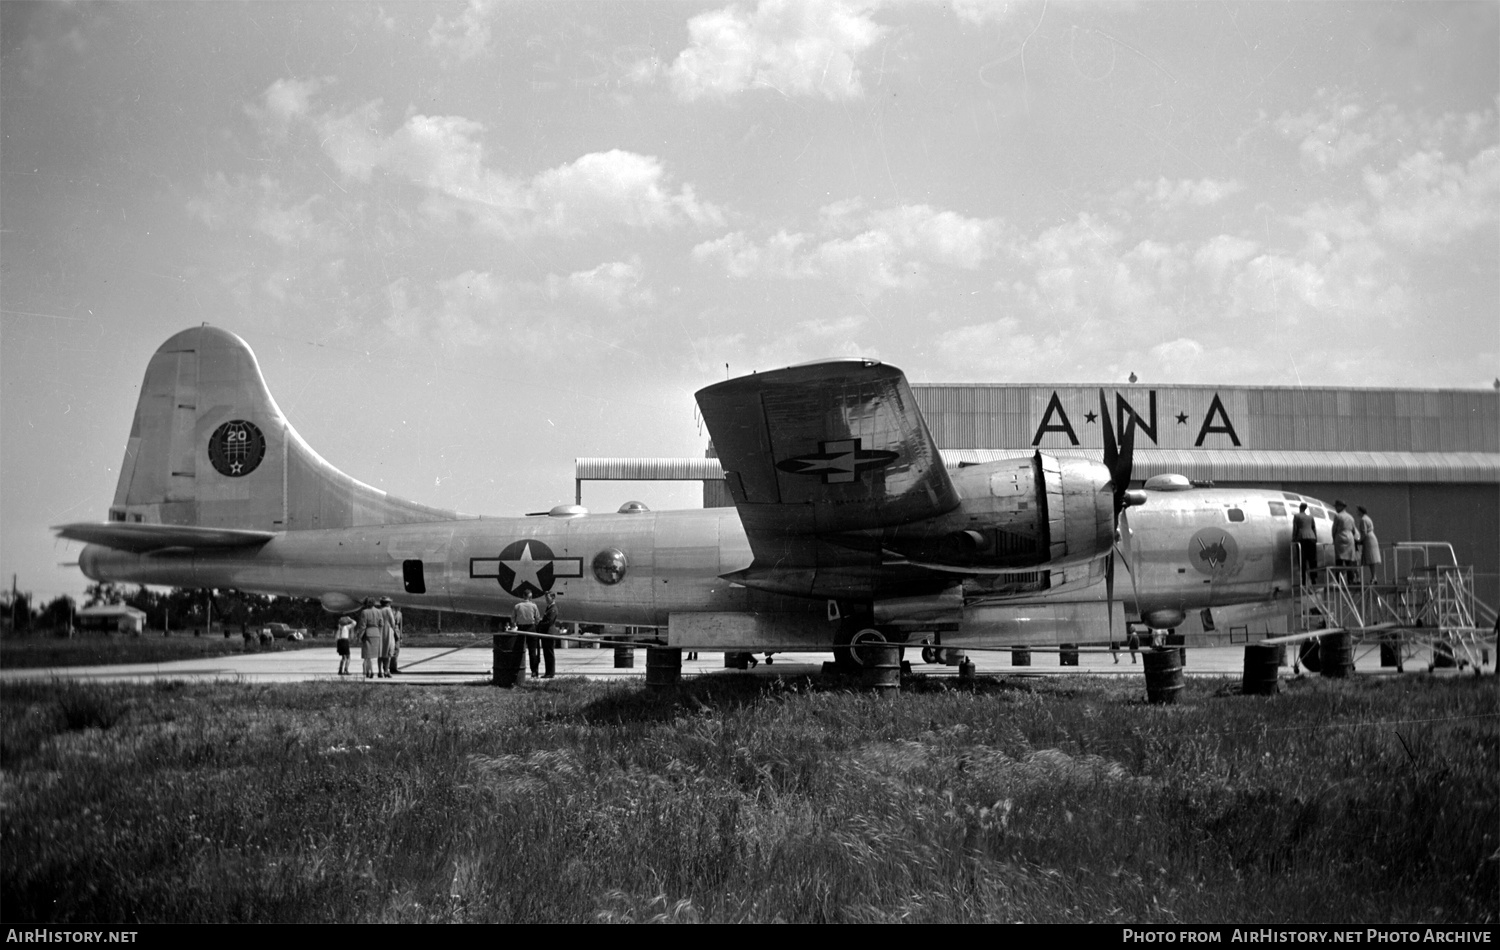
(211, 448)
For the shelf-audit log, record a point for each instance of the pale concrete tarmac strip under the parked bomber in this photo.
(433, 666)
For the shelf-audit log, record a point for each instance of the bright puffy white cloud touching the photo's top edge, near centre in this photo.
(796, 47)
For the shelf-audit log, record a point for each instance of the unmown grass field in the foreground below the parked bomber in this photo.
(742, 799)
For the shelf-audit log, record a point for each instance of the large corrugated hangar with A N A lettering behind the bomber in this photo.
(1424, 461)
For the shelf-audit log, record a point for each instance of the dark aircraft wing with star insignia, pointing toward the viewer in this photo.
(824, 449)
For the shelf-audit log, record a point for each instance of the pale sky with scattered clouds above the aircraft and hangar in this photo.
(472, 242)
